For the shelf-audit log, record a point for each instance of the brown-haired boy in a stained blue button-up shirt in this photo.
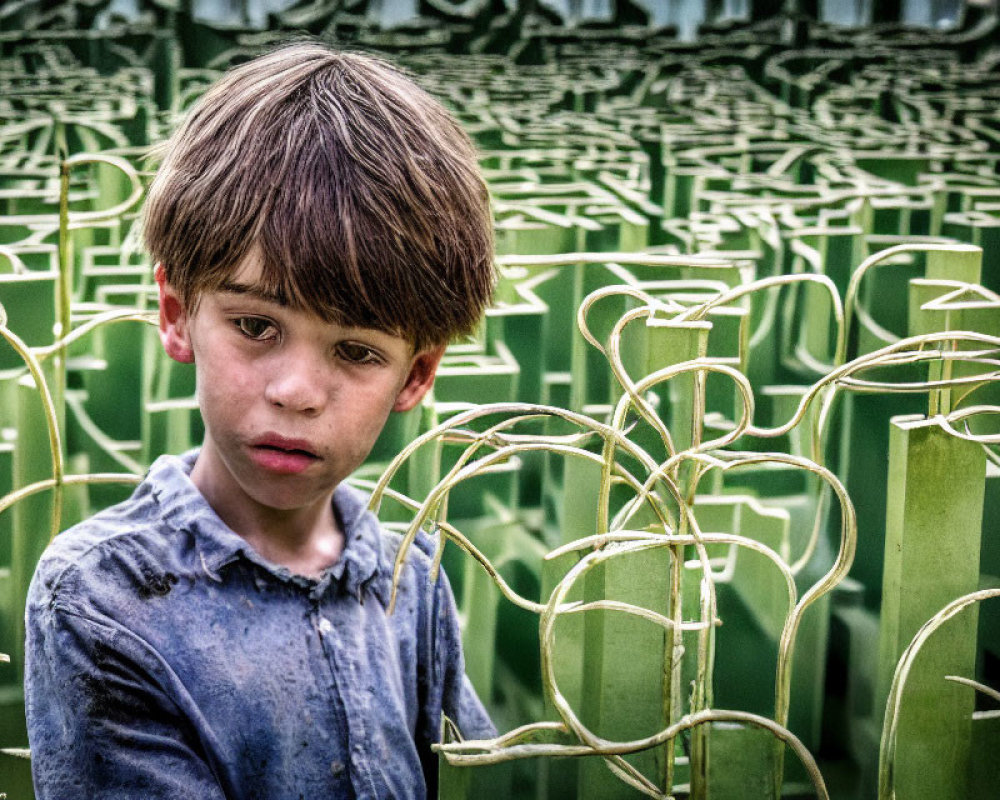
(321, 231)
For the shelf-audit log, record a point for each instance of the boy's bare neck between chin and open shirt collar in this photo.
(306, 540)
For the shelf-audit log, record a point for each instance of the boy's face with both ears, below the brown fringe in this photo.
(292, 404)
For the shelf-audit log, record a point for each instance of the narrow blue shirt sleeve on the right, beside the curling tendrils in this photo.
(451, 693)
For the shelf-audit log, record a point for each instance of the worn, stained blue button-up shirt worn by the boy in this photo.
(167, 659)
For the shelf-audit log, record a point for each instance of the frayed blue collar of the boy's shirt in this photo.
(184, 508)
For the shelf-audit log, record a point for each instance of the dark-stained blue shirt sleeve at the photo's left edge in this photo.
(100, 725)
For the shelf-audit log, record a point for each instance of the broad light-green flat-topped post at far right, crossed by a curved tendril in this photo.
(933, 525)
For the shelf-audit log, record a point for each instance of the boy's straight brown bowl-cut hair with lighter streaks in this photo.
(359, 191)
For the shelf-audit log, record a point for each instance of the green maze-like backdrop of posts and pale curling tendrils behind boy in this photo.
(717, 481)
